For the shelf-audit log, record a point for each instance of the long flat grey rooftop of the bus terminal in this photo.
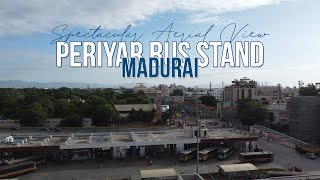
(113, 139)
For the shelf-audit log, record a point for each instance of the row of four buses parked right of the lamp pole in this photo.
(225, 153)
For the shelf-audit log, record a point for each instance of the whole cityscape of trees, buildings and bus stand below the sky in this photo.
(241, 131)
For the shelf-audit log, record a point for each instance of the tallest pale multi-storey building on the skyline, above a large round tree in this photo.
(240, 89)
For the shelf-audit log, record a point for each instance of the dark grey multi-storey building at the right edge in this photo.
(304, 115)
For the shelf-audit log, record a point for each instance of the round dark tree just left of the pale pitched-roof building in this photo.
(104, 115)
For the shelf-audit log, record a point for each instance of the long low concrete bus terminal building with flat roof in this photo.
(120, 144)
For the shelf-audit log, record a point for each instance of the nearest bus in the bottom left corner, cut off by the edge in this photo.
(14, 170)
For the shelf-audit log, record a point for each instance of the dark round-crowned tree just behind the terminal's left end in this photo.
(34, 115)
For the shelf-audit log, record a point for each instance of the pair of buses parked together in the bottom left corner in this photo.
(19, 167)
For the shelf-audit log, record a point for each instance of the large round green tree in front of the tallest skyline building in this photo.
(250, 112)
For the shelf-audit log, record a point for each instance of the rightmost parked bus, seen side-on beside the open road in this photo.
(249, 157)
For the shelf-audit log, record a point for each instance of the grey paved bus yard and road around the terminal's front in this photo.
(85, 170)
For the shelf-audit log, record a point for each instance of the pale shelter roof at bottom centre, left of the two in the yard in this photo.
(154, 173)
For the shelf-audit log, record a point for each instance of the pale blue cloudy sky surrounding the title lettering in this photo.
(290, 50)
